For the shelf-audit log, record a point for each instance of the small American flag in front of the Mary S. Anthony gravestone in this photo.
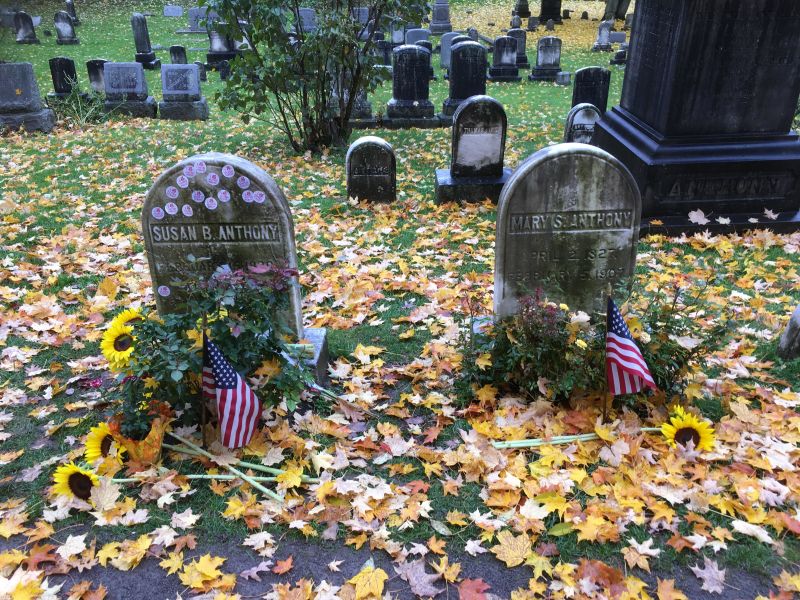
(626, 369)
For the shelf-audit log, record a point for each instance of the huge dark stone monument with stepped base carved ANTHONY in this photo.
(705, 119)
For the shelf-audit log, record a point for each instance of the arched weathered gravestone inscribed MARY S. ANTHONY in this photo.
(567, 222)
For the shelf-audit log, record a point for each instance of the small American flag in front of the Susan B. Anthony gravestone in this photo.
(238, 408)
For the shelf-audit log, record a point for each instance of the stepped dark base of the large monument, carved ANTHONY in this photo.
(723, 176)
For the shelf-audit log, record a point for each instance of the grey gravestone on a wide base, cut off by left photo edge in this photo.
(20, 103)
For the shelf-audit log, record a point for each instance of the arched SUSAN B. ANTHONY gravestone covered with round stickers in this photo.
(211, 210)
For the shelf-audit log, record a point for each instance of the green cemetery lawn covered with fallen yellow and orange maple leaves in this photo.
(391, 284)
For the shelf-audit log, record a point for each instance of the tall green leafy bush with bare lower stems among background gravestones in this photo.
(305, 82)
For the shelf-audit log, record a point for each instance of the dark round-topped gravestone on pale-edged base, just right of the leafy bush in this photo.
(410, 84)
